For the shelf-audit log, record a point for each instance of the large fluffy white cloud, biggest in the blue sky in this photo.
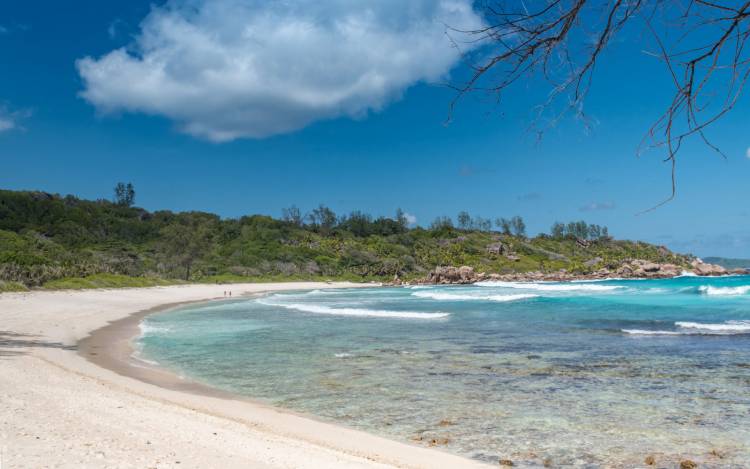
(225, 69)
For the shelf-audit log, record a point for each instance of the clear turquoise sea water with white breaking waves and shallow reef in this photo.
(589, 374)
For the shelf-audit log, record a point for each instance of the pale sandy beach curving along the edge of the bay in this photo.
(69, 399)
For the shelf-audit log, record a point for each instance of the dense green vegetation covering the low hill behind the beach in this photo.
(65, 242)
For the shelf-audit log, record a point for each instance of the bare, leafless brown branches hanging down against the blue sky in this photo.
(701, 44)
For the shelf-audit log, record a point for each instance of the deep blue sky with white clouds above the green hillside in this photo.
(244, 106)
